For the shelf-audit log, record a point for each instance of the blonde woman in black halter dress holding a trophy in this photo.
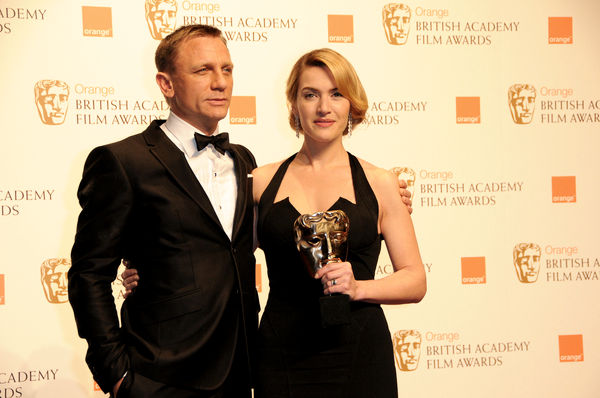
(297, 356)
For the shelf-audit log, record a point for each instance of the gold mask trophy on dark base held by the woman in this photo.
(322, 238)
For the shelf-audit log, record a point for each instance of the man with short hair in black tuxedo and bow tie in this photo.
(181, 212)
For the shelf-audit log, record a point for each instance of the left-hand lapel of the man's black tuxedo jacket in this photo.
(174, 162)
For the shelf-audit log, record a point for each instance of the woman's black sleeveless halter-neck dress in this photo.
(297, 357)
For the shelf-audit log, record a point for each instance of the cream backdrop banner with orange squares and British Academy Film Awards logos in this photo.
(490, 110)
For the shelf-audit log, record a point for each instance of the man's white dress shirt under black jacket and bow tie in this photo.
(215, 171)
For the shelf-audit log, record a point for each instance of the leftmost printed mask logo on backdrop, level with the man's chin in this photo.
(51, 100)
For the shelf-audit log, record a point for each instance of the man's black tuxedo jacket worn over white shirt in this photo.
(196, 299)
